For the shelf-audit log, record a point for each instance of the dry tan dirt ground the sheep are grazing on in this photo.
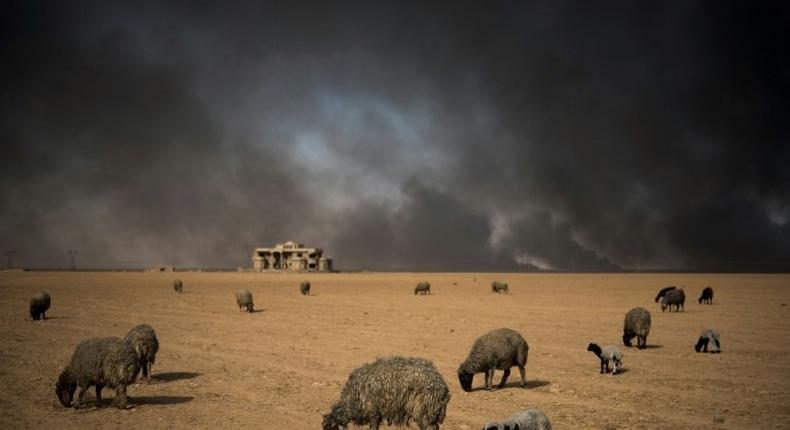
(284, 365)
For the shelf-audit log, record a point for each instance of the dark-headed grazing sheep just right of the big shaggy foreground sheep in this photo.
(498, 349)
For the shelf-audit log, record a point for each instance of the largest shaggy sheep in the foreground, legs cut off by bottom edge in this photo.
(392, 389)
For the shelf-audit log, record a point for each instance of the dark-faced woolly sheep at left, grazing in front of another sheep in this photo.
(101, 362)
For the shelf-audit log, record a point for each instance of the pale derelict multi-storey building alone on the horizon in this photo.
(290, 256)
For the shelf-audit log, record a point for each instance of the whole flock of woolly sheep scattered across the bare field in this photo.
(396, 390)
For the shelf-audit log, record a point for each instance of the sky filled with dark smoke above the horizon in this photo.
(425, 136)
